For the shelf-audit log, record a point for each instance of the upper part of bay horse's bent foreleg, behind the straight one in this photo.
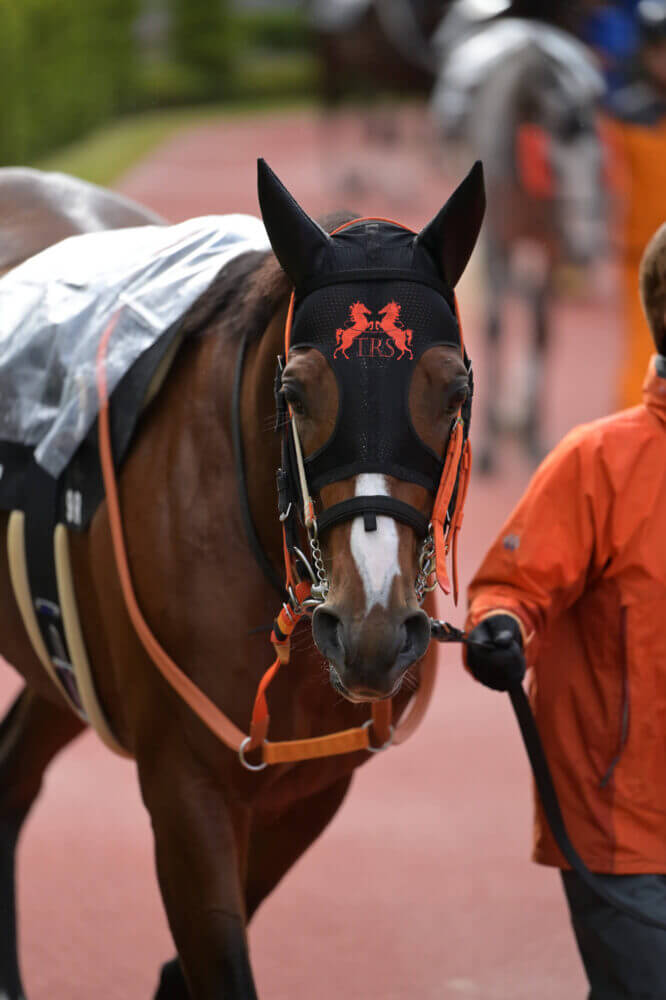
(276, 844)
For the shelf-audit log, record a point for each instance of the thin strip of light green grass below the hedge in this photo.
(106, 153)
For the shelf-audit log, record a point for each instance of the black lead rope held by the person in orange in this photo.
(443, 632)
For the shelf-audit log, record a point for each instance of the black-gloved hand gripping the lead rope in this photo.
(499, 662)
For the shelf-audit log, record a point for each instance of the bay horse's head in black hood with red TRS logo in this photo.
(373, 430)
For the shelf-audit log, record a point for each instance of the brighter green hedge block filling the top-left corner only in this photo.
(65, 66)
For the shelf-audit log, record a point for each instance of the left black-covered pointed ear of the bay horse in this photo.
(296, 238)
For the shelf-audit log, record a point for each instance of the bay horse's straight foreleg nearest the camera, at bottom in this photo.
(199, 850)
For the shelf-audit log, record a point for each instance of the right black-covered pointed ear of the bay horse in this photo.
(451, 236)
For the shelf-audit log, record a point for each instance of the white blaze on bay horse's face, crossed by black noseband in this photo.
(375, 552)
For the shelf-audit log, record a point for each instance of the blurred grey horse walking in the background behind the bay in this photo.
(525, 96)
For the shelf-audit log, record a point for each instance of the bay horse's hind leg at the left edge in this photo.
(31, 734)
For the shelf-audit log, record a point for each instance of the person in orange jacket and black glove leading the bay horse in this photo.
(575, 587)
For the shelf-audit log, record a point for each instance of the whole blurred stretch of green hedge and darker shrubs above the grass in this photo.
(67, 66)
